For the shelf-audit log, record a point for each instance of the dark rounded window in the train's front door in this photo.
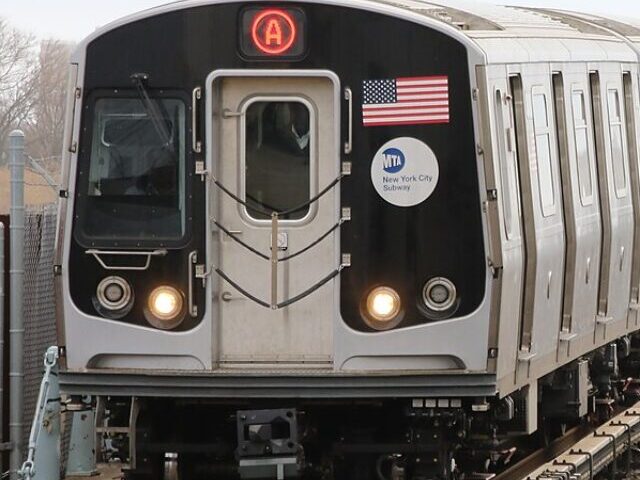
(278, 145)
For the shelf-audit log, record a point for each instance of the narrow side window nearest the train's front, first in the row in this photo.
(506, 167)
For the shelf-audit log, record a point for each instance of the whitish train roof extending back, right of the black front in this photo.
(511, 34)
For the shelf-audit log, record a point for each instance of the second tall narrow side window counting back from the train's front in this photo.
(542, 129)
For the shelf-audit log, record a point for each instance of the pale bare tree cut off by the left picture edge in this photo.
(18, 79)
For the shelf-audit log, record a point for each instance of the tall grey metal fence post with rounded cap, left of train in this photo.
(16, 319)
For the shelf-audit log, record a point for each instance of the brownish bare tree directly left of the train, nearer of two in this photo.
(46, 122)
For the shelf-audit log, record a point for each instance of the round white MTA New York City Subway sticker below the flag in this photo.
(405, 172)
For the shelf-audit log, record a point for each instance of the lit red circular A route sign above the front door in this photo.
(273, 31)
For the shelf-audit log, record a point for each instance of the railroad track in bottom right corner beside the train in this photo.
(583, 451)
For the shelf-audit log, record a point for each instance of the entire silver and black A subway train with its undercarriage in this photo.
(350, 239)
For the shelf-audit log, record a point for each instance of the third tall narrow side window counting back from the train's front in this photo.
(580, 126)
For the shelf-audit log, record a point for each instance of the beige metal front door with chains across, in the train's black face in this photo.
(276, 144)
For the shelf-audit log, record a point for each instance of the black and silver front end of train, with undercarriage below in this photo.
(273, 233)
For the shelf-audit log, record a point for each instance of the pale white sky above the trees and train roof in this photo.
(72, 20)
